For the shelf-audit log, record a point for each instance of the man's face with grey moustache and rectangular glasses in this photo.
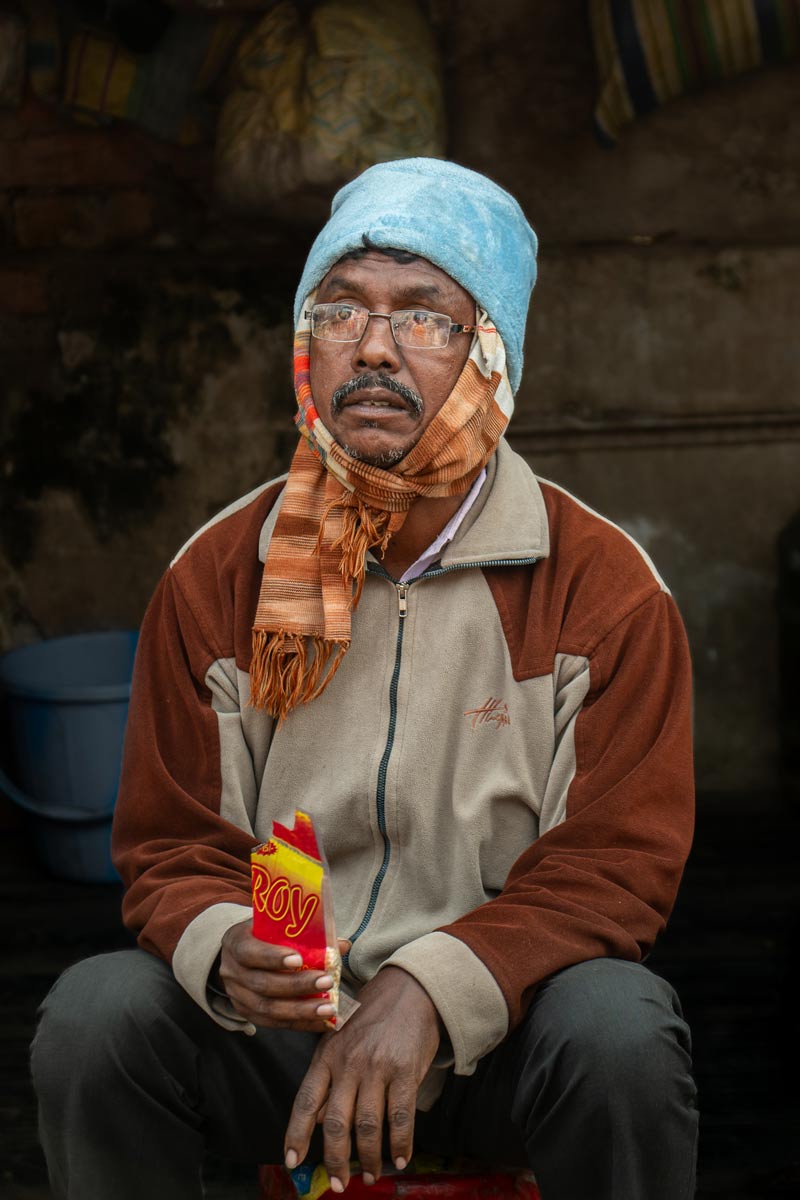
(374, 422)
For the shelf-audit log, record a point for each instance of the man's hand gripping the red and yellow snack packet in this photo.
(266, 985)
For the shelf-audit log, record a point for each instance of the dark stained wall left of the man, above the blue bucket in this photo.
(146, 347)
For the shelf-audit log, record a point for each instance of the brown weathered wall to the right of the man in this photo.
(663, 359)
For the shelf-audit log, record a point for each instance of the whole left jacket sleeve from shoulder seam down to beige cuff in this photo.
(177, 854)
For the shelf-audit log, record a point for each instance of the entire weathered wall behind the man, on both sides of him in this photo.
(146, 345)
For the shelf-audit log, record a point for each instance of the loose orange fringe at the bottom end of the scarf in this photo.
(284, 674)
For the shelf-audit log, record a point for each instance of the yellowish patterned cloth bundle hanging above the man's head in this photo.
(323, 92)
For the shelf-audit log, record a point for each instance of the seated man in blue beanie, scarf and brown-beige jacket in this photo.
(479, 689)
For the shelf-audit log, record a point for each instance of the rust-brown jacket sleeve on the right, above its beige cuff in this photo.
(604, 880)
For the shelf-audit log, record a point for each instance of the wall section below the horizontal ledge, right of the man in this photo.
(708, 518)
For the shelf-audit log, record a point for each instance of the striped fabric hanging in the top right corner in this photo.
(652, 51)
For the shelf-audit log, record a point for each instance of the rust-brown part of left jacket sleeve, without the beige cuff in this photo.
(175, 851)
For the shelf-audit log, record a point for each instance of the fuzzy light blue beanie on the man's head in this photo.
(456, 219)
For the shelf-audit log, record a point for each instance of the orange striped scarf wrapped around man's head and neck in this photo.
(335, 509)
